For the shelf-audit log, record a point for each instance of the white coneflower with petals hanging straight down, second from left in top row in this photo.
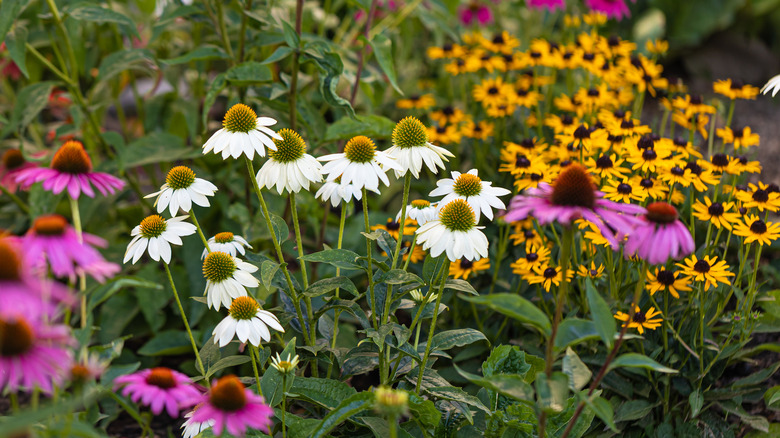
(289, 167)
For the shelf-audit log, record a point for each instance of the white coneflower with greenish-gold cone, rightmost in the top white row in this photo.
(411, 149)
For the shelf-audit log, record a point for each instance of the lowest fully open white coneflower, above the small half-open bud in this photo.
(246, 321)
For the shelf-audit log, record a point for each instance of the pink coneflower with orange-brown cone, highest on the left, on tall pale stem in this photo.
(71, 168)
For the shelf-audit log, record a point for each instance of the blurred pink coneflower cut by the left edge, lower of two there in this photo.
(32, 353)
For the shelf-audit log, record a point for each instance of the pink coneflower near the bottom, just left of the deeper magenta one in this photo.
(159, 388)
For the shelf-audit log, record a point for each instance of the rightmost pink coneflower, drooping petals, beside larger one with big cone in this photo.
(661, 236)
